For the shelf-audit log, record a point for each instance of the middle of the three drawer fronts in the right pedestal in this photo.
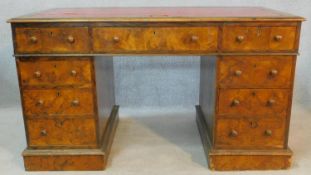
(253, 102)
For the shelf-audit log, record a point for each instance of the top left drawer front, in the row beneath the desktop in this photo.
(48, 40)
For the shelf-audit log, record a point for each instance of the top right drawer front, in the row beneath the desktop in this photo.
(258, 38)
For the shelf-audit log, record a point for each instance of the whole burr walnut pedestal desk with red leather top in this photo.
(65, 70)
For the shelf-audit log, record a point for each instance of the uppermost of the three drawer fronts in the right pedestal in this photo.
(255, 71)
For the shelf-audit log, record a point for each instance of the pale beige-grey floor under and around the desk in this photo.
(153, 141)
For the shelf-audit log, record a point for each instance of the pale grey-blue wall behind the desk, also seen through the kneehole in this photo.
(151, 81)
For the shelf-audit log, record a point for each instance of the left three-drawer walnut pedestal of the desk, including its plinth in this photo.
(69, 113)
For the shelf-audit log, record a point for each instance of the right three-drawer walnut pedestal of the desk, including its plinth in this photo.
(244, 111)
